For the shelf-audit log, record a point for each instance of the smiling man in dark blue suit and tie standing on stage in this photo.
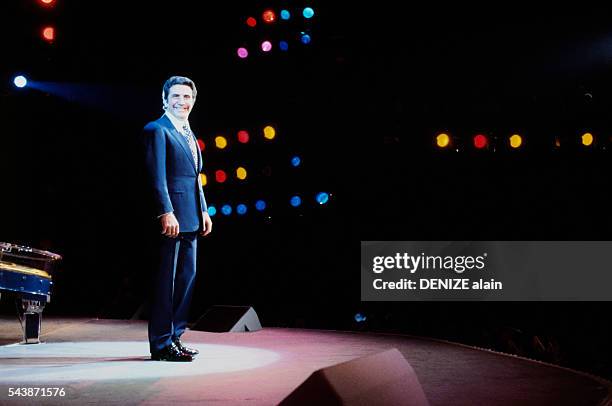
(173, 163)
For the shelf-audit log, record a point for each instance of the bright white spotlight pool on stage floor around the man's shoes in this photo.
(103, 360)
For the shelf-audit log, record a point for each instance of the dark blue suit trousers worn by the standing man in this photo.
(172, 289)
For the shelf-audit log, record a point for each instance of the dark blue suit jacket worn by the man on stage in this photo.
(173, 175)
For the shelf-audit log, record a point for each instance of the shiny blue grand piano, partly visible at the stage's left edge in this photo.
(25, 274)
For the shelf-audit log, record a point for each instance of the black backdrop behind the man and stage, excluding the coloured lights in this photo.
(361, 105)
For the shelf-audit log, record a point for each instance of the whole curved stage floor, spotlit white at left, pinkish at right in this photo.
(107, 361)
